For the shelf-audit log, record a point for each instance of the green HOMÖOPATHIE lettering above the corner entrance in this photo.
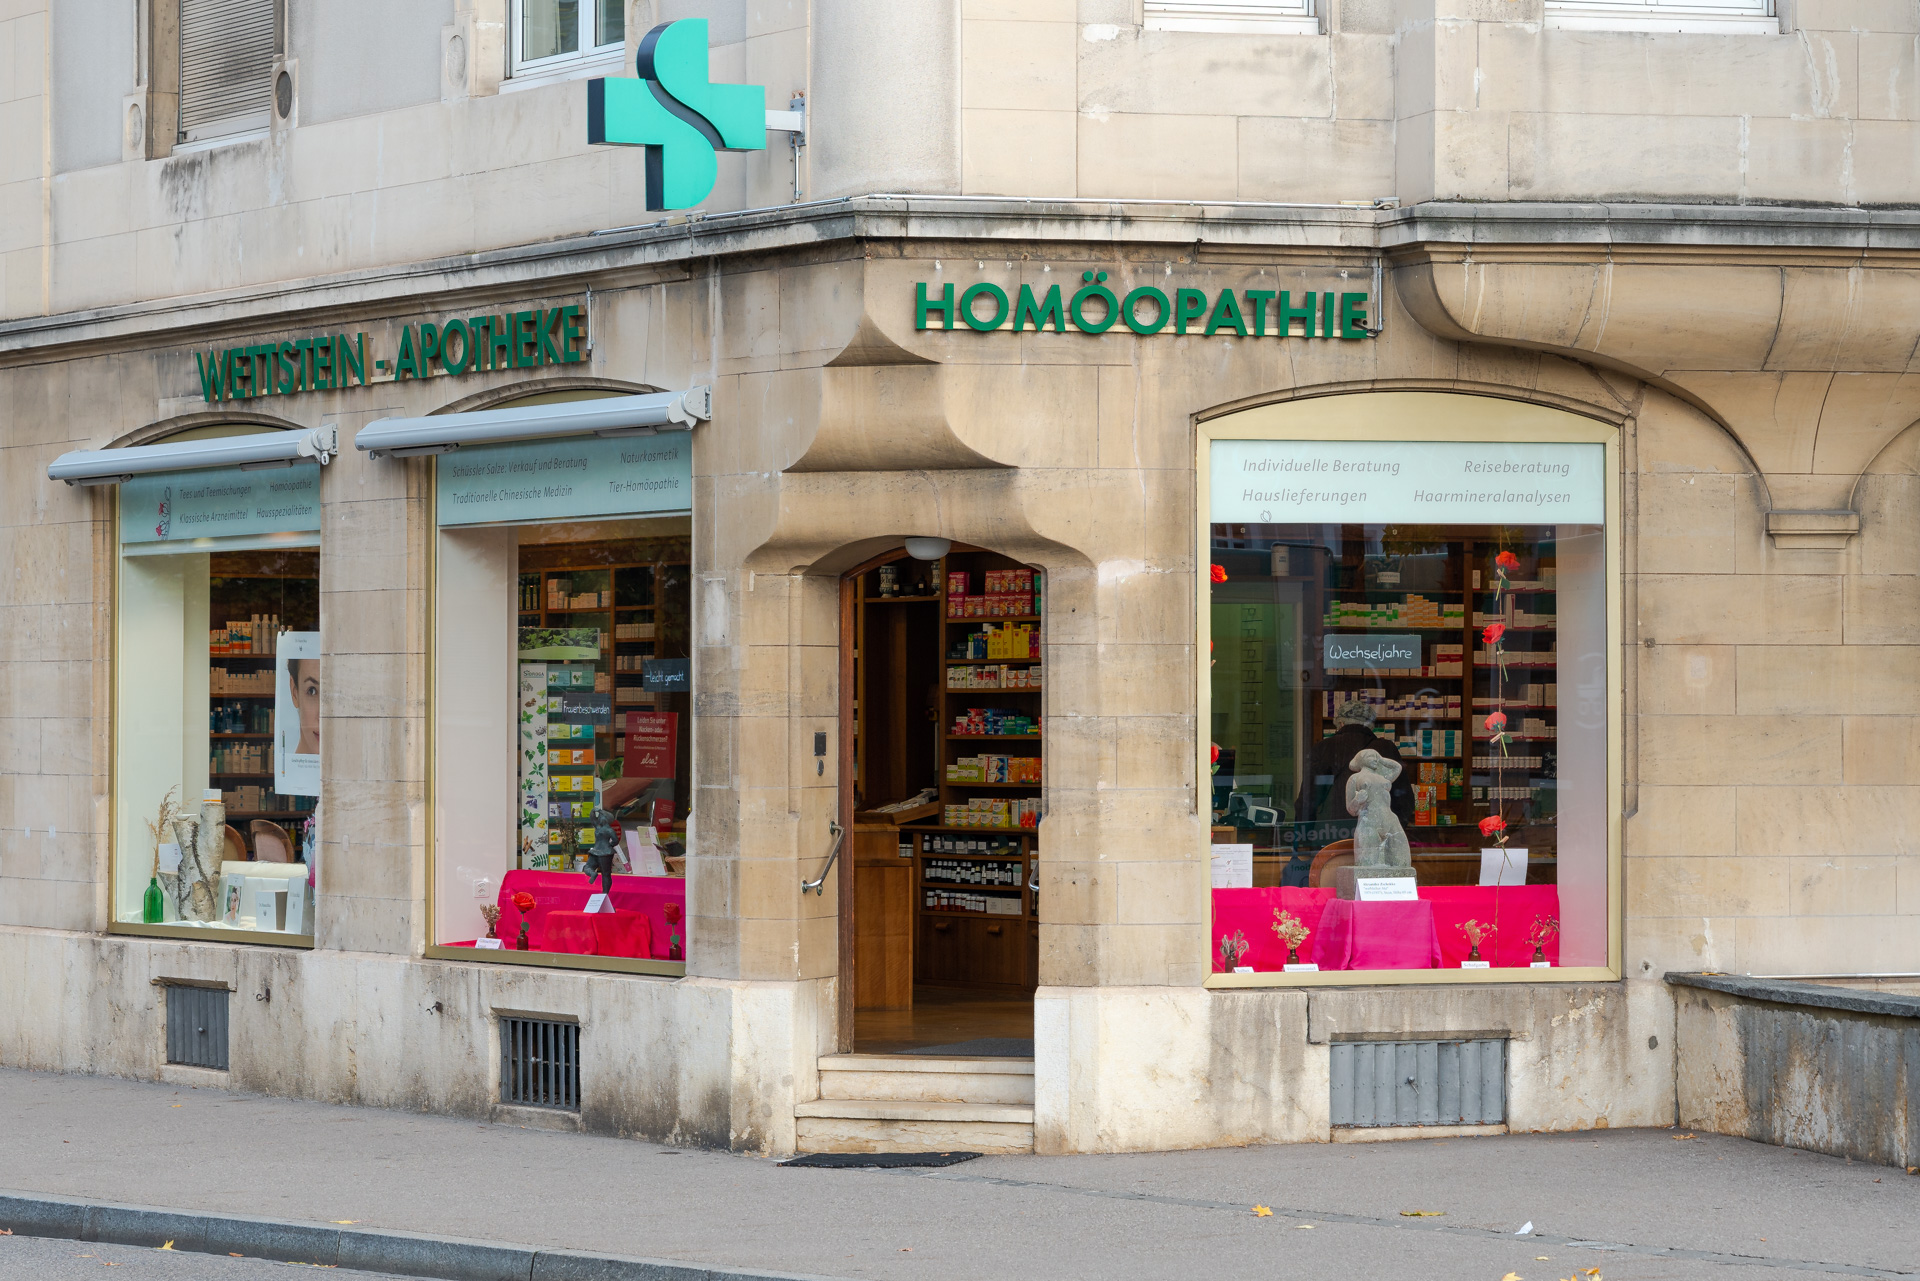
(1145, 310)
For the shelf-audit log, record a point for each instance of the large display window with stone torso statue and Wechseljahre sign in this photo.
(1410, 704)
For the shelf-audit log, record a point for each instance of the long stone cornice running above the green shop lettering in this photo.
(1207, 231)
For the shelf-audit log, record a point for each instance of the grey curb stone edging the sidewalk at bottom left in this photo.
(410, 1255)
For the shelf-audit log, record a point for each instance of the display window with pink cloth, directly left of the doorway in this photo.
(564, 713)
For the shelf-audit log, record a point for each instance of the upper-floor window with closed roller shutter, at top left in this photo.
(228, 59)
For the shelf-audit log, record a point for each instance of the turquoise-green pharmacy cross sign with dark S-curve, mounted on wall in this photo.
(679, 114)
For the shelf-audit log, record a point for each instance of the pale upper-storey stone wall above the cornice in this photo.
(410, 147)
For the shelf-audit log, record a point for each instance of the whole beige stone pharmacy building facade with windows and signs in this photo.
(1053, 575)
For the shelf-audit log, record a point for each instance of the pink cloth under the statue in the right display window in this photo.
(1387, 936)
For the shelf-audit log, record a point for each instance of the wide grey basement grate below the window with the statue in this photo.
(1420, 1082)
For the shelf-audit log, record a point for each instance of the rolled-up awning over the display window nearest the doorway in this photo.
(612, 416)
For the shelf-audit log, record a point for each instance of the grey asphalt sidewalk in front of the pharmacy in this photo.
(1639, 1205)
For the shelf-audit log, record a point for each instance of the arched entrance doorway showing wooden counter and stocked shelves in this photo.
(942, 765)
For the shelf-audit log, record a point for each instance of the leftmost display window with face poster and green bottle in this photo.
(218, 704)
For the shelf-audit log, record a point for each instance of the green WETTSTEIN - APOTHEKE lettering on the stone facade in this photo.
(333, 362)
